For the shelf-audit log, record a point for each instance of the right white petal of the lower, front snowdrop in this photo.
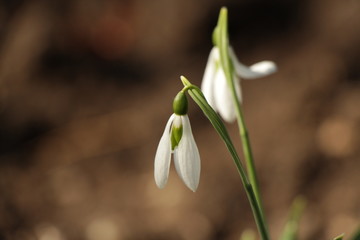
(187, 157)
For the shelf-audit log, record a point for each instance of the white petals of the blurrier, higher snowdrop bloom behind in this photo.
(215, 87)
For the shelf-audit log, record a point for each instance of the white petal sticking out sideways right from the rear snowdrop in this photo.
(257, 70)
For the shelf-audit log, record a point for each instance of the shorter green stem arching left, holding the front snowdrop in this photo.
(219, 126)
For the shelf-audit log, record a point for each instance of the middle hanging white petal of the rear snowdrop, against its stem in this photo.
(223, 97)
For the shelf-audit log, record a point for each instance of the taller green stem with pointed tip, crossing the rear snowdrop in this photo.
(223, 44)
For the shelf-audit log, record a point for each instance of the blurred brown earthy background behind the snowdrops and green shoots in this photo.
(86, 88)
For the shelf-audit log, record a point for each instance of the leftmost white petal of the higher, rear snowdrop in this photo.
(207, 84)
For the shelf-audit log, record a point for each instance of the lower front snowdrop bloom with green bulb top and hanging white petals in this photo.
(178, 140)
